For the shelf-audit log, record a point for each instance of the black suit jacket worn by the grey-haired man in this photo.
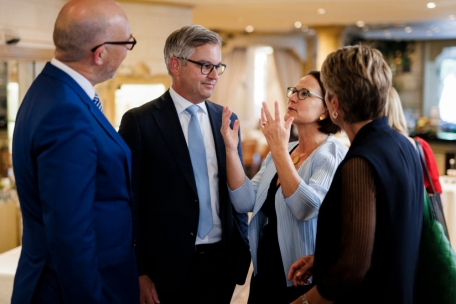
(165, 197)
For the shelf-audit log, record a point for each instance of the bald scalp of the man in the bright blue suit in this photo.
(82, 24)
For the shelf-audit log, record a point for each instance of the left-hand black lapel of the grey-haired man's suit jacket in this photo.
(165, 115)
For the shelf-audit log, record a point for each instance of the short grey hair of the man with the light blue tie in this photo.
(182, 42)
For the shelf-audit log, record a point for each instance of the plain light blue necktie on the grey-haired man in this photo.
(198, 156)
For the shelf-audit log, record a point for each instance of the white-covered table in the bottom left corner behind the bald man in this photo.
(8, 266)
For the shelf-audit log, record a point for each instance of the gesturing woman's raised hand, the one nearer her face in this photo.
(277, 134)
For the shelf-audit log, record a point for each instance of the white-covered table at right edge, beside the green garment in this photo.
(449, 205)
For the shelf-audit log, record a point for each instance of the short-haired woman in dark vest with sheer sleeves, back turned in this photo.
(370, 222)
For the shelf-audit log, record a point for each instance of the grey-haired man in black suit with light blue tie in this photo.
(193, 245)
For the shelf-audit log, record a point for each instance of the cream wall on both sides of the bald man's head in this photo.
(33, 21)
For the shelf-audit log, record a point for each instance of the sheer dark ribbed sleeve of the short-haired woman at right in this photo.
(358, 211)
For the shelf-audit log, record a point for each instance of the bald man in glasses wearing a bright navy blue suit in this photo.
(73, 170)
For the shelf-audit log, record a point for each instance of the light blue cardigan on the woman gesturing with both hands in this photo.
(297, 214)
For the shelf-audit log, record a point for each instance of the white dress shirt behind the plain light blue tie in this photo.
(182, 104)
